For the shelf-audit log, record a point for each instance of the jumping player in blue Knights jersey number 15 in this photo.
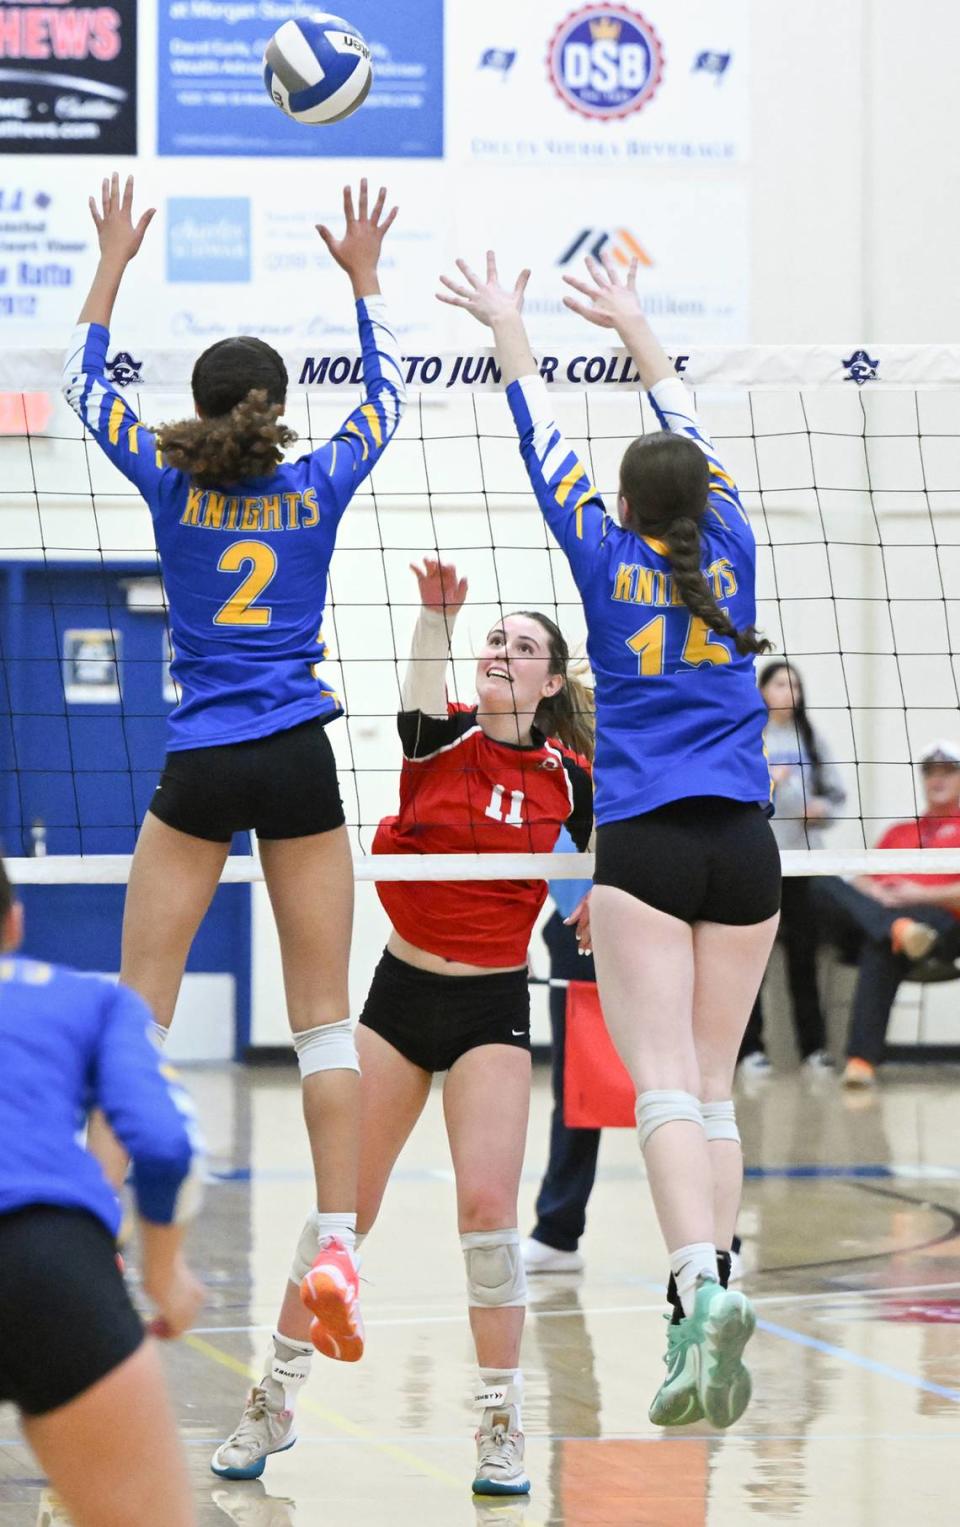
(688, 885)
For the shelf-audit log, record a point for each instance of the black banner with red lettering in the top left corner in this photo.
(69, 79)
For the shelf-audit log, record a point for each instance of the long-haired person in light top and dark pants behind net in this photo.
(808, 792)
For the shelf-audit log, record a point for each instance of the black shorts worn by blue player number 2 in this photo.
(280, 787)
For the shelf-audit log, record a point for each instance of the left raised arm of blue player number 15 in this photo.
(562, 485)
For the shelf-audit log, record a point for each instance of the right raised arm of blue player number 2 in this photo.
(362, 439)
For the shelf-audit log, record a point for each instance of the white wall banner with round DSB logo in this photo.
(645, 83)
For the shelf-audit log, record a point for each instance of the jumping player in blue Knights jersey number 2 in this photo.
(245, 543)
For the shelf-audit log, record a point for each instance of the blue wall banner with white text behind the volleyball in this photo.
(211, 97)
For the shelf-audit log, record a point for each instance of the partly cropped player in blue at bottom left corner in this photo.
(72, 1352)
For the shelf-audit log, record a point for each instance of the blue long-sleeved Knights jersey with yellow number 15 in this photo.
(678, 709)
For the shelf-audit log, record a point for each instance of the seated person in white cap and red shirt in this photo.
(903, 918)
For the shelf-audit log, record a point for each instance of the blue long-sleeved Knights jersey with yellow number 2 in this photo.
(245, 567)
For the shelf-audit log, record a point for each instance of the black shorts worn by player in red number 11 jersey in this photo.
(433, 1021)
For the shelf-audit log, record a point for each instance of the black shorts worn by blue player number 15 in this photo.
(703, 860)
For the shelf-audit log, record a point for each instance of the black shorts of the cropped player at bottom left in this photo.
(66, 1319)
